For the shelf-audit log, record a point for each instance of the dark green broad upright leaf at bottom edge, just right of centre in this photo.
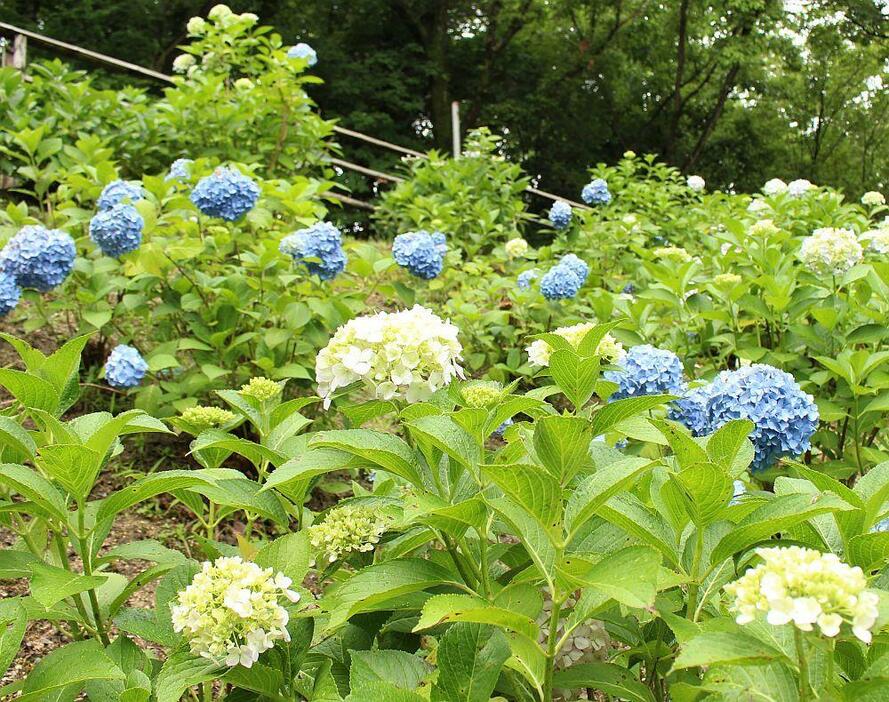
(470, 657)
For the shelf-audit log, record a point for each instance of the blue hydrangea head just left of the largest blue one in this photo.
(647, 370)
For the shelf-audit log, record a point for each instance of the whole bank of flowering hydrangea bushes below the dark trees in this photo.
(635, 449)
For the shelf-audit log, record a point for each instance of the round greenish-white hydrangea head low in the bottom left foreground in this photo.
(230, 613)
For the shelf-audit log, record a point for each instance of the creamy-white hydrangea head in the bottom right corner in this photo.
(806, 588)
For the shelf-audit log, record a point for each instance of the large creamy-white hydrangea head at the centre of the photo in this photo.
(408, 354)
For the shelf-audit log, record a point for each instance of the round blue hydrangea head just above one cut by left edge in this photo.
(38, 257)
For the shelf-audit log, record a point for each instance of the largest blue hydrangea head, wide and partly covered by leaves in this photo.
(784, 416)
